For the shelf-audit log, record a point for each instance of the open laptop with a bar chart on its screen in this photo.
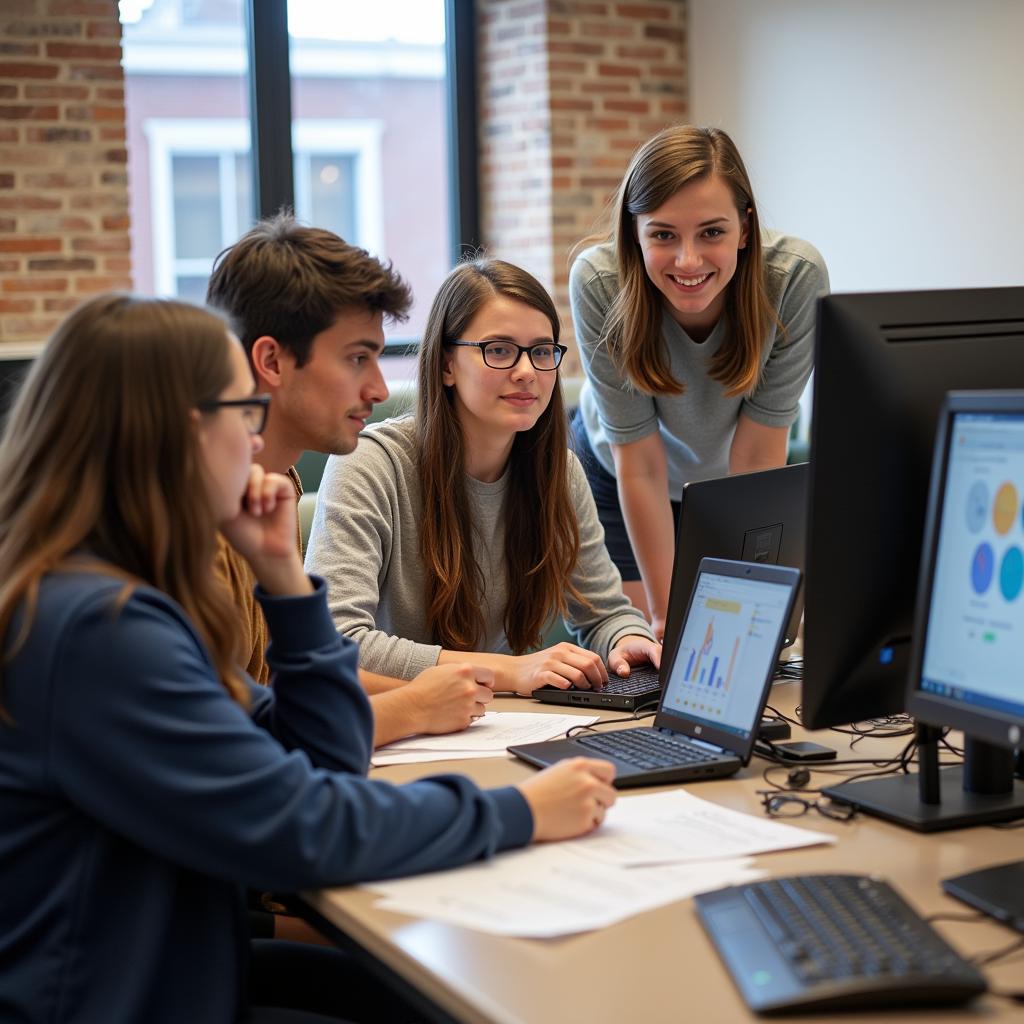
(717, 684)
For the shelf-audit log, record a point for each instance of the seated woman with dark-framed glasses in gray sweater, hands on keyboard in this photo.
(470, 527)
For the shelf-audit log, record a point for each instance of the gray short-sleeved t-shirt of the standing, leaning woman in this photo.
(698, 426)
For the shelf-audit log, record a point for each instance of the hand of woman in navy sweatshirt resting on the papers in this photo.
(571, 798)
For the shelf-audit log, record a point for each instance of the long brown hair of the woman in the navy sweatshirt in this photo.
(101, 458)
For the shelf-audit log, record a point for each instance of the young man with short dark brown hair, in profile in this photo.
(310, 311)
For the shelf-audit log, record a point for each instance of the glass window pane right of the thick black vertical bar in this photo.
(369, 84)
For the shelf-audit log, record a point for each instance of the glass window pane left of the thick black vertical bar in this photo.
(187, 95)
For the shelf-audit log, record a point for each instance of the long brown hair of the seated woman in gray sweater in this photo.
(542, 536)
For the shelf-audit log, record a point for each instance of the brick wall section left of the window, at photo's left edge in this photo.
(64, 190)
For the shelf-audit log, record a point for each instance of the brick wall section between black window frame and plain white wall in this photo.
(569, 90)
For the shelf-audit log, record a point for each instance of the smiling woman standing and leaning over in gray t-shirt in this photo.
(696, 330)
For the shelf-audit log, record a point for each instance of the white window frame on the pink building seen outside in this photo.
(227, 138)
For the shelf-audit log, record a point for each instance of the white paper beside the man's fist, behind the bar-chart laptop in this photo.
(487, 738)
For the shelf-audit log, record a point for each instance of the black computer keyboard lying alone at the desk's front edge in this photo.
(832, 943)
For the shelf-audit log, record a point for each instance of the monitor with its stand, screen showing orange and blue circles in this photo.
(968, 647)
